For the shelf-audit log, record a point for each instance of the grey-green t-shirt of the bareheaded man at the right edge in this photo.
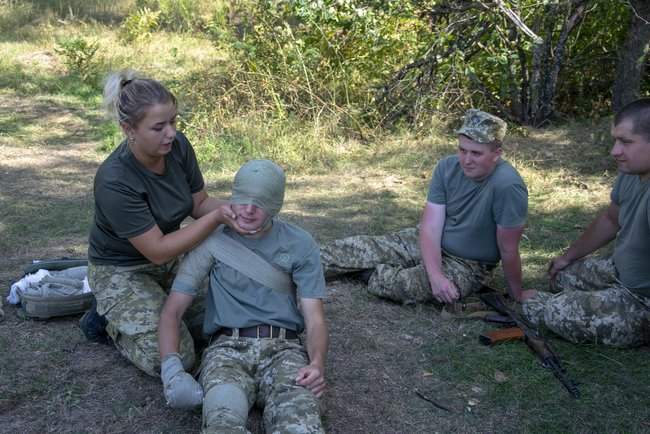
(632, 251)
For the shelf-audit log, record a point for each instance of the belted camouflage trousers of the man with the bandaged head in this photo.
(265, 370)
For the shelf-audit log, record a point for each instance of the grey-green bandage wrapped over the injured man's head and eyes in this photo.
(260, 183)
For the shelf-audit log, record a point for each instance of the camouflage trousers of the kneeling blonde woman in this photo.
(132, 298)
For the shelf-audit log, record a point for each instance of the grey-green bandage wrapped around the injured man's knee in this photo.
(225, 402)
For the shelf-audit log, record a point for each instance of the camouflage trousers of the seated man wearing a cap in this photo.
(399, 274)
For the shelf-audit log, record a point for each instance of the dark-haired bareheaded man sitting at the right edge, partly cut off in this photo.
(607, 300)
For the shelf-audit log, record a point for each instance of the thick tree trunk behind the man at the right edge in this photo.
(631, 56)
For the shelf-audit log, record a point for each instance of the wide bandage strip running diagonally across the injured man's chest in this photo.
(234, 254)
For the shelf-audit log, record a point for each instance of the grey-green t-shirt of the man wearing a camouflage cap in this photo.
(473, 209)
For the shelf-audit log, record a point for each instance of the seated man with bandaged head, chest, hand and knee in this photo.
(264, 290)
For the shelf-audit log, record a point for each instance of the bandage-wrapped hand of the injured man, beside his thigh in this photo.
(180, 388)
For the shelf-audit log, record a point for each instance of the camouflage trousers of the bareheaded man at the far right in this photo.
(592, 307)
